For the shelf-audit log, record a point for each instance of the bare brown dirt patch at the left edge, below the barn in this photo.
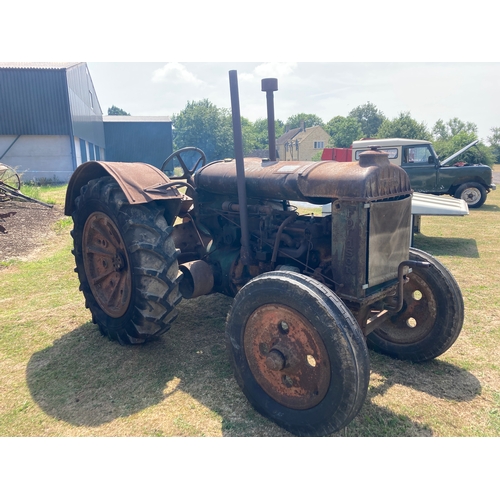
(26, 229)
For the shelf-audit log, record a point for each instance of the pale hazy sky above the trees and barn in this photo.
(428, 90)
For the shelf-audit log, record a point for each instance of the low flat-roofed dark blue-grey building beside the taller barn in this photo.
(146, 139)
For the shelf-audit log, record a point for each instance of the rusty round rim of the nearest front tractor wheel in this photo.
(287, 356)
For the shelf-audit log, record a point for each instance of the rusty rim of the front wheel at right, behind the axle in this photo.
(417, 317)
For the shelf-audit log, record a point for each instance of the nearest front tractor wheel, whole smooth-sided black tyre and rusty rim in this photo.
(298, 354)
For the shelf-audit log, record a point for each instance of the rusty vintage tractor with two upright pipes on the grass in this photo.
(311, 291)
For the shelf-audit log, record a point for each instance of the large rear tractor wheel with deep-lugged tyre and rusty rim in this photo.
(126, 262)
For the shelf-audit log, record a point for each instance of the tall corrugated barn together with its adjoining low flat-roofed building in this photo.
(51, 122)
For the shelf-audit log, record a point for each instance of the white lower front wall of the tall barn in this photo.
(38, 157)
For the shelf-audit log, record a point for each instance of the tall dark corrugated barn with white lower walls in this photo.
(50, 119)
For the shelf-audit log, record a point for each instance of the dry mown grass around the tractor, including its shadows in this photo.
(60, 377)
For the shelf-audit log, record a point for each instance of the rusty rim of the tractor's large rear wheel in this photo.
(106, 265)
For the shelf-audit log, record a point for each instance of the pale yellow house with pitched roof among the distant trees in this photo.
(301, 143)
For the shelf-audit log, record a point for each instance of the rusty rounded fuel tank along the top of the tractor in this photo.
(373, 178)
